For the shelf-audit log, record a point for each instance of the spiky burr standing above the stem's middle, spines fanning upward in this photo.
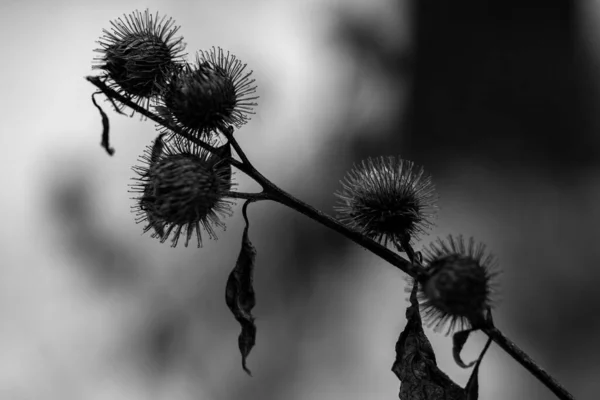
(387, 199)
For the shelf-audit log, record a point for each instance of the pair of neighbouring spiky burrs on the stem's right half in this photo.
(392, 201)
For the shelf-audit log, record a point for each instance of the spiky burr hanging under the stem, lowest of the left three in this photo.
(182, 188)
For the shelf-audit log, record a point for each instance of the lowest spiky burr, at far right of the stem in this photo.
(460, 285)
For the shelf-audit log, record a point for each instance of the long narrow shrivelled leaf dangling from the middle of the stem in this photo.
(239, 294)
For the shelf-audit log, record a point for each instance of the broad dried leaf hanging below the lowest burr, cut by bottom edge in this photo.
(415, 363)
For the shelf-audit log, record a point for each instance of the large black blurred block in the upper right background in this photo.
(500, 82)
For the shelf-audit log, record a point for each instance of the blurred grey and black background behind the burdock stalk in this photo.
(496, 99)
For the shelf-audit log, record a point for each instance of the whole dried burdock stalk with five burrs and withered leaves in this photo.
(184, 186)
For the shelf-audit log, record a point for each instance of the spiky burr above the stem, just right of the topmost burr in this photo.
(213, 92)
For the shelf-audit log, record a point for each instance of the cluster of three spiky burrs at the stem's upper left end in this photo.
(181, 185)
